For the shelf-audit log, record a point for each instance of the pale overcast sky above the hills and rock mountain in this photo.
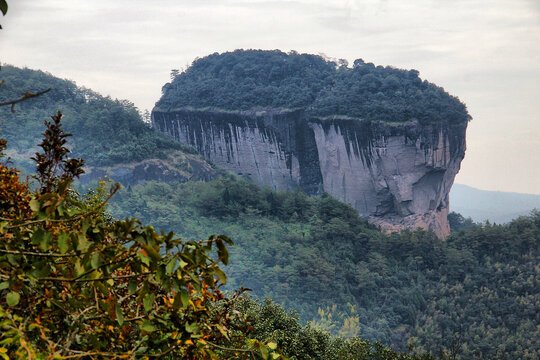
(486, 52)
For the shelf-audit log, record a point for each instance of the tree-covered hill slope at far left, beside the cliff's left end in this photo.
(107, 131)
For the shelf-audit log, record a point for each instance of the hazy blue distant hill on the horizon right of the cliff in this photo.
(495, 206)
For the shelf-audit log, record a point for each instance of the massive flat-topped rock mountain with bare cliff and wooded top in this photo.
(378, 138)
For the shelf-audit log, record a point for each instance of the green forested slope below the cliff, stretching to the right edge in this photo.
(474, 294)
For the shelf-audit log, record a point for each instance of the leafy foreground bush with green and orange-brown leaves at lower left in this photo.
(74, 285)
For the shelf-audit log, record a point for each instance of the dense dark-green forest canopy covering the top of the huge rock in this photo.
(251, 79)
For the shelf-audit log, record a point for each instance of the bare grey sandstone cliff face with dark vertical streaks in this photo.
(397, 175)
